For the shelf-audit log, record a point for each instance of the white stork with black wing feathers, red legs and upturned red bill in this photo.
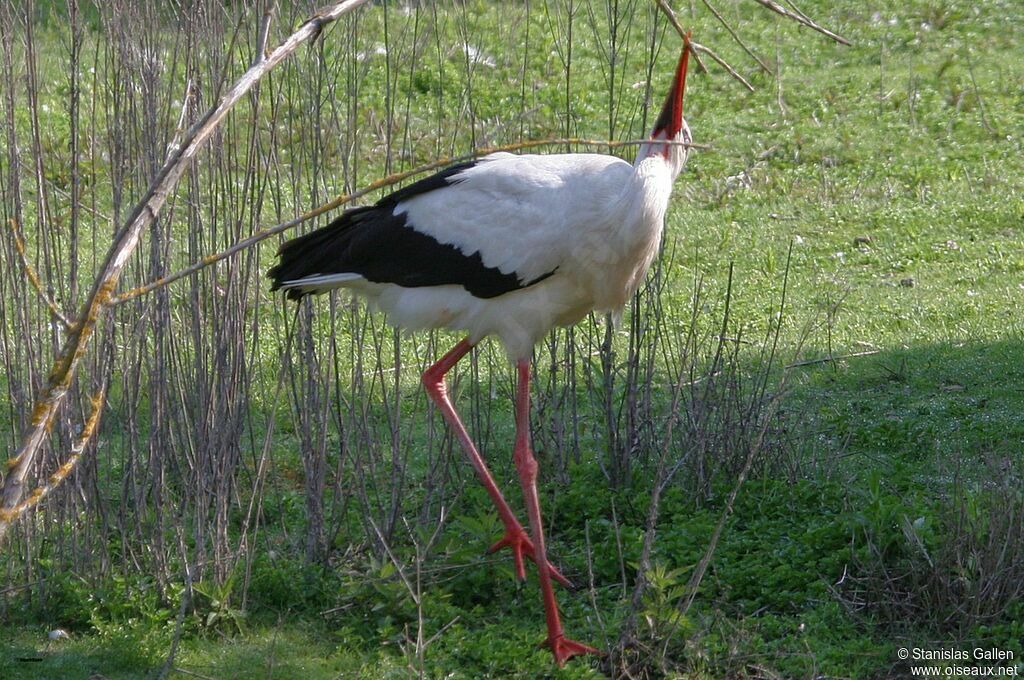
(507, 246)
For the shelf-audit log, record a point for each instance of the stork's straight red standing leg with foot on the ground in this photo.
(563, 648)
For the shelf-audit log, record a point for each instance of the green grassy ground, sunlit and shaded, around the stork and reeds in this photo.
(894, 169)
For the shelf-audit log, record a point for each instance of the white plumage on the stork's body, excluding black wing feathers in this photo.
(593, 222)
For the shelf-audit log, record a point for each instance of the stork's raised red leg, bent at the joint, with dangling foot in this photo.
(516, 537)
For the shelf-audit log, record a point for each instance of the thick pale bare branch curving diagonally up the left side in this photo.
(127, 240)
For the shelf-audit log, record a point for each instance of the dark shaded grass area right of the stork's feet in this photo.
(892, 518)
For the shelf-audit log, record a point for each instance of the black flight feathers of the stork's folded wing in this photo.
(382, 247)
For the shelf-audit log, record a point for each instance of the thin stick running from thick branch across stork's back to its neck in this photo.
(349, 198)
